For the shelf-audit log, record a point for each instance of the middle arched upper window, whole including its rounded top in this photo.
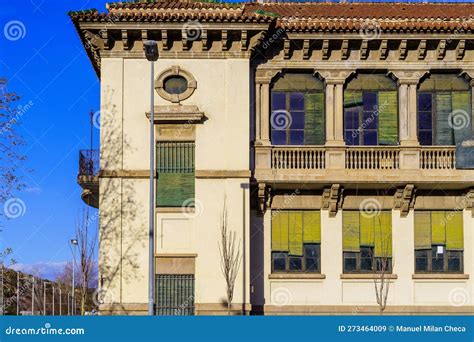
(371, 111)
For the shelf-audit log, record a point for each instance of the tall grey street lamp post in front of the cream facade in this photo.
(151, 53)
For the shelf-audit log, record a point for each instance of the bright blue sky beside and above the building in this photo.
(49, 69)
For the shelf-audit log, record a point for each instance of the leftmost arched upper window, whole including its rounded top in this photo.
(297, 116)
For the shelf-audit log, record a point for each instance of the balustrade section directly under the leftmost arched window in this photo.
(298, 158)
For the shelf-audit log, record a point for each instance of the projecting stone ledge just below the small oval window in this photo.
(177, 114)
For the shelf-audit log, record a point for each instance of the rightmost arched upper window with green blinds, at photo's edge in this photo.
(444, 110)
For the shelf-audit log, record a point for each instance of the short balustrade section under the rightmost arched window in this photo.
(438, 158)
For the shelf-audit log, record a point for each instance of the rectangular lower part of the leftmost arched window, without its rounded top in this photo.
(297, 118)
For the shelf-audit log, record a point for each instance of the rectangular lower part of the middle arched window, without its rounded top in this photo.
(370, 117)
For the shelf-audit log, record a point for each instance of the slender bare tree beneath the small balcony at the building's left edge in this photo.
(86, 245)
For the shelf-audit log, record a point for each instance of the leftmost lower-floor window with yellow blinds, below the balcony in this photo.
(296, 241)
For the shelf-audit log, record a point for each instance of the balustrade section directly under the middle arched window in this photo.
(372, 158)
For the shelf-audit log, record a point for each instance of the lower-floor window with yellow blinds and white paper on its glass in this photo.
(439, 242)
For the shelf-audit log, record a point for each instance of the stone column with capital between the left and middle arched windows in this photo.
(334, 108)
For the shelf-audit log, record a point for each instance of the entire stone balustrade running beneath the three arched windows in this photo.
(301, 158)
